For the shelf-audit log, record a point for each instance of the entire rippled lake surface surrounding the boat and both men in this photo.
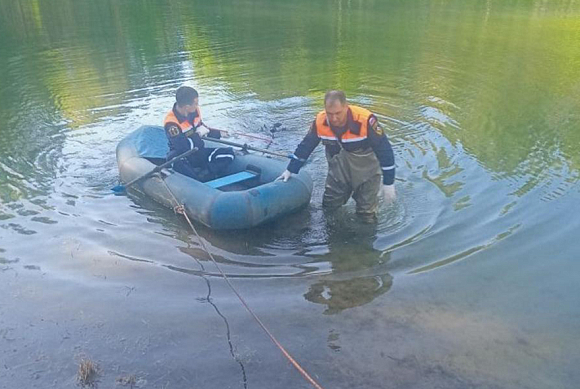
(469, 281)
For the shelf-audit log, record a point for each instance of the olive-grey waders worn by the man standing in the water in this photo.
(357, 174)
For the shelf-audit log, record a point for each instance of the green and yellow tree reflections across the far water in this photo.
(518, 109)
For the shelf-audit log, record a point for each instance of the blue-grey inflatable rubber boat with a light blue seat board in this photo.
(245, 197)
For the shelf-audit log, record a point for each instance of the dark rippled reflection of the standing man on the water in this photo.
(358, 270)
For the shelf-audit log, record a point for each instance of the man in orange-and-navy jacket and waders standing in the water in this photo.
(357, 151)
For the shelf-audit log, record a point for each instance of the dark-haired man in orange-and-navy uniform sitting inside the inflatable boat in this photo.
(184, 129)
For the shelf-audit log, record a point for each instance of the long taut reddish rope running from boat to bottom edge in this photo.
(179, 208)
